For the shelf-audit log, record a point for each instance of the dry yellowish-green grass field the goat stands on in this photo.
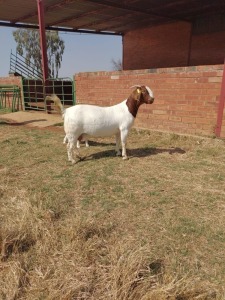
(150, 228)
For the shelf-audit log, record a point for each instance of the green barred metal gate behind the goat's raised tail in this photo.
(35, 91)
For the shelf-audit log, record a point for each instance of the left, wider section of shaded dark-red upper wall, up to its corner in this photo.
(156, 47)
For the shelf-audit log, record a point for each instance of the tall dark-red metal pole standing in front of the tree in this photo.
(40, 4)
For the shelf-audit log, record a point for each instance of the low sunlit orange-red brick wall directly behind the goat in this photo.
(186, 98)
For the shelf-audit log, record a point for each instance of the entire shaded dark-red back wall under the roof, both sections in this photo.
(171, 45)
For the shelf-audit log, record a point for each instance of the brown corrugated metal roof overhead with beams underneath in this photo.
(105, 16)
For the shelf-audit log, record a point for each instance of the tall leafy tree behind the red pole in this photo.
(28, 45)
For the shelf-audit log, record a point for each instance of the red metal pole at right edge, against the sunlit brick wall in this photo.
(221, 106)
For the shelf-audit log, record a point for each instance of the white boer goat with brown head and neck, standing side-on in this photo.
(84, 120)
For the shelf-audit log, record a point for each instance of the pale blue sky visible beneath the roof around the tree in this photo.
(83, 52)
